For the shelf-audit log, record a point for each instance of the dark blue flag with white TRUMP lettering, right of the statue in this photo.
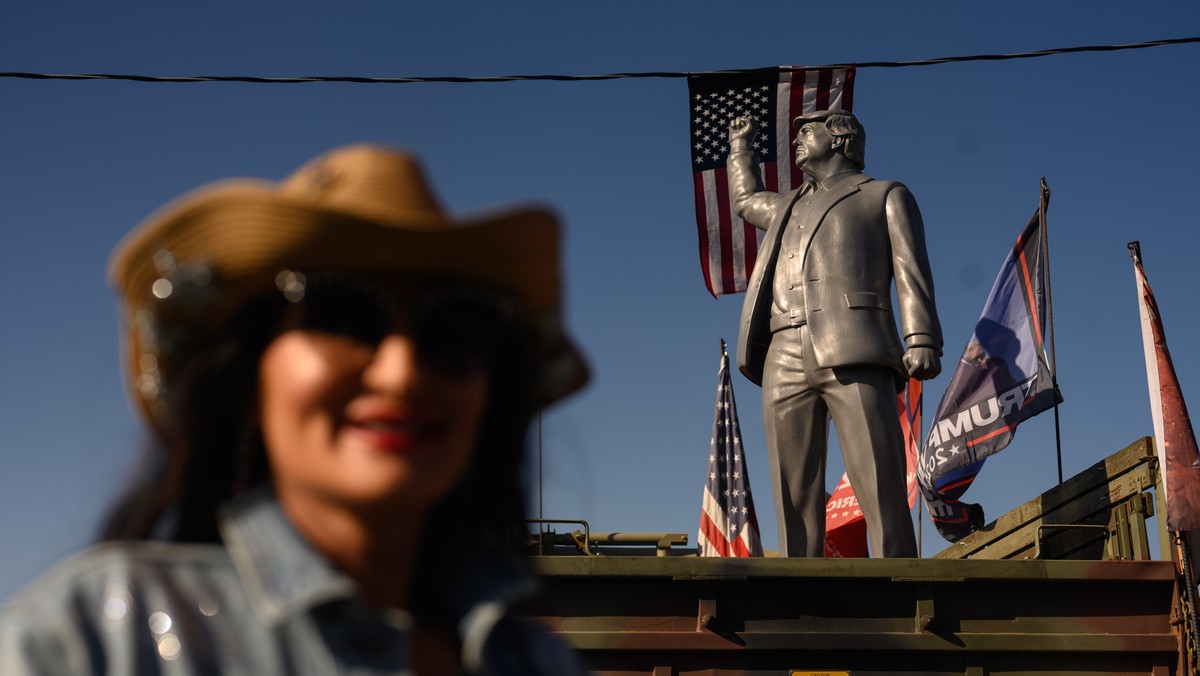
(1003, 379)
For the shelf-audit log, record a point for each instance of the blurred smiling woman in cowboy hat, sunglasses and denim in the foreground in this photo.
(339, 380)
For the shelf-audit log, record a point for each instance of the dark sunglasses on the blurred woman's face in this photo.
(457, 330)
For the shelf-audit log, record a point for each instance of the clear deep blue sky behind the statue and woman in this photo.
(81, 163)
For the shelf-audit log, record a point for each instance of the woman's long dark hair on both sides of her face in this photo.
(209, 447)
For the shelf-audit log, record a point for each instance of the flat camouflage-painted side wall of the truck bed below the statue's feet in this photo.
(669, 617)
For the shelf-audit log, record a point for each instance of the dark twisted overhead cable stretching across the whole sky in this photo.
(592, 77)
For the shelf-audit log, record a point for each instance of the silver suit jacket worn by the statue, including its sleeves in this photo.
(856, 241)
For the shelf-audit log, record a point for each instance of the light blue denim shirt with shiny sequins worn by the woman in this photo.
(263, 605)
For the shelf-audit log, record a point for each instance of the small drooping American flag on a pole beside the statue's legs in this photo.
(729, 525)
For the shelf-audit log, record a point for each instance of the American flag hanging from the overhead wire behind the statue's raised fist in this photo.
(773, 98)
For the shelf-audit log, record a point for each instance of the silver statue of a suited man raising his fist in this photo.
(819, 332)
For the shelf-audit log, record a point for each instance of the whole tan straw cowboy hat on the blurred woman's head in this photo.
(362, 210)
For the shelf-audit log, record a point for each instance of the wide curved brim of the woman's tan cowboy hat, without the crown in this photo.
(248, 231)
